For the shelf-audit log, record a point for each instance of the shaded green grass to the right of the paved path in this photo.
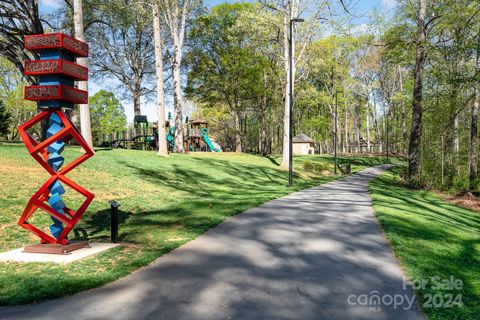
(432, 239)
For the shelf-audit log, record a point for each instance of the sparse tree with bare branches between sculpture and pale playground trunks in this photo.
(122, 48)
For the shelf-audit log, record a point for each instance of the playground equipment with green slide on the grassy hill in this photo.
(144, 136)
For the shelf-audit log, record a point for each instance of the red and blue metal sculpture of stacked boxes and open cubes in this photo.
(57, 72)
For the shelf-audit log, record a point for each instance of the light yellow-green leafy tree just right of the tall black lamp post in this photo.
(331, 63)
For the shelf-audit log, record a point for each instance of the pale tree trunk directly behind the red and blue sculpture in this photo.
(85, 125)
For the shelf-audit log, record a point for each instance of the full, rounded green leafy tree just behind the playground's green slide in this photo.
(225, 70)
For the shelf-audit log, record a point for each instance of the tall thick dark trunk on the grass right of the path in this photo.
(416, 132)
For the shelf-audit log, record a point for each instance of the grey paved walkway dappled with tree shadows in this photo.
(315, 254)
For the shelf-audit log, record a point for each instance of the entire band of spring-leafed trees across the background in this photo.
(406, 82)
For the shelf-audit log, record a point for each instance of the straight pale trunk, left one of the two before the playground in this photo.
(162, 140)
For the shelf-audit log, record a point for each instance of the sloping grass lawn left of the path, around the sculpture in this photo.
(165, 202)
